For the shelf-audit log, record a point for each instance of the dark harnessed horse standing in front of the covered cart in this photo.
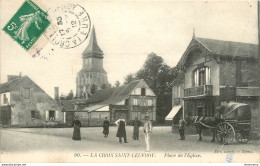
(202, 122)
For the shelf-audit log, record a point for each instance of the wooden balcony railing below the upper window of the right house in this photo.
(204, 90)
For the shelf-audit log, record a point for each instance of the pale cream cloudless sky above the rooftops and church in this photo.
(126, 32)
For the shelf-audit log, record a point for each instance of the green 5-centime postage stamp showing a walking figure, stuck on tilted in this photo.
(27, 25)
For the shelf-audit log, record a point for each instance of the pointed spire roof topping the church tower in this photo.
(93, 49)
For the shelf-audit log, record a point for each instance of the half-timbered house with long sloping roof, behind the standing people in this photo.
(135, 99)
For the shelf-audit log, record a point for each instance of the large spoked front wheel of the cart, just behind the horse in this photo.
(225, 133)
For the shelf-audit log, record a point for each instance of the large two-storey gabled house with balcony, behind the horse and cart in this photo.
(218, 72)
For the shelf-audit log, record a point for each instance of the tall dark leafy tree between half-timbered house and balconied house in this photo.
(158, 76)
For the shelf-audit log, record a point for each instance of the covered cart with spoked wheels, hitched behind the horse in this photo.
(235, 125)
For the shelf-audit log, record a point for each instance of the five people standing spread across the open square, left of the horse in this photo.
(121, 131)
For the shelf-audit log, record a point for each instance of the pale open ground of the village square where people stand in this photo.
(30, 140)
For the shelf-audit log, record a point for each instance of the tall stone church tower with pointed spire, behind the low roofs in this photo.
(92, 72)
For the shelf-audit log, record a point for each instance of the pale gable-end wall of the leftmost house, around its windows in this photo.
(38, 101)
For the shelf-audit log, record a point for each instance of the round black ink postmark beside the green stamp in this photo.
(73, 25)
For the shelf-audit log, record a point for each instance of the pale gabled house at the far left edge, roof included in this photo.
(24, 103)
